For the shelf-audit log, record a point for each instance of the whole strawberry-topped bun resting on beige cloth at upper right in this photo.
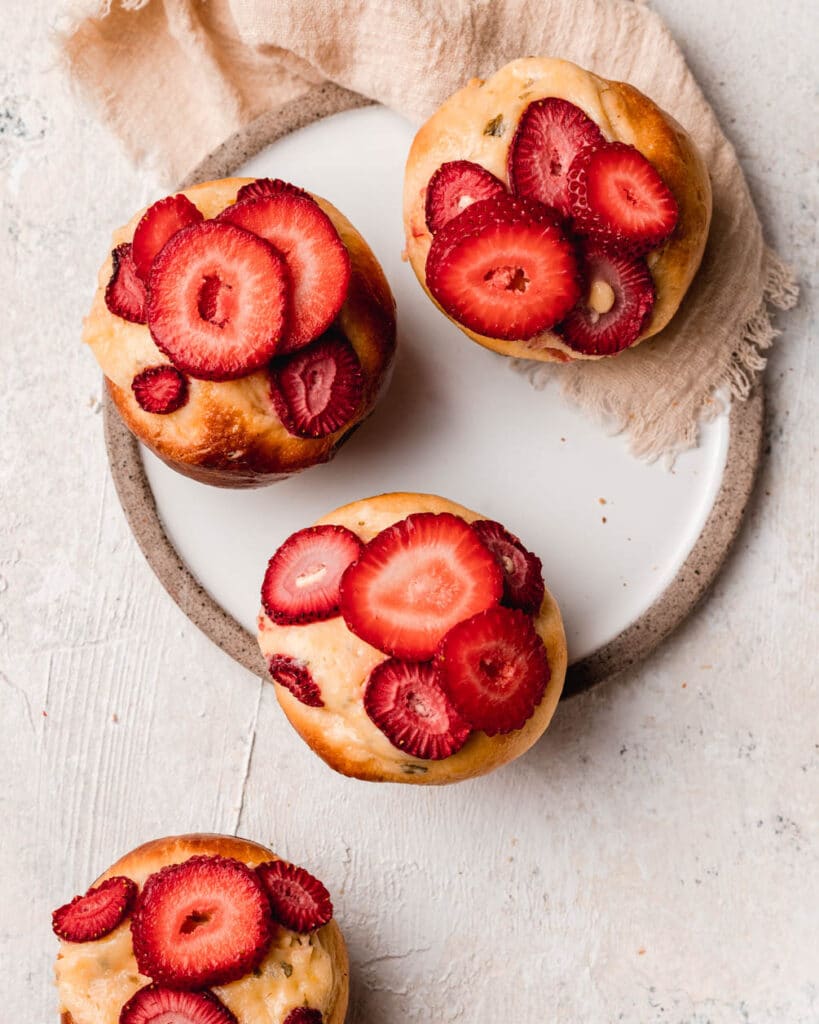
(554, 216)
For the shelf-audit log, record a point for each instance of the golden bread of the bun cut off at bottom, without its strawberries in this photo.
(96, 979)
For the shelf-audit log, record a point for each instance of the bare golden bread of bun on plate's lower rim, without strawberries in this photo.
(341, 733)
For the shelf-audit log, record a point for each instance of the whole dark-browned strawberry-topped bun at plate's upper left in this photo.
(245, 329)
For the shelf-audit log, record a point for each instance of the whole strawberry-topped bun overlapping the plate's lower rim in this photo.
(412, 641)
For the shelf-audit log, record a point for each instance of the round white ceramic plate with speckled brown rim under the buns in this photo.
(628, 548)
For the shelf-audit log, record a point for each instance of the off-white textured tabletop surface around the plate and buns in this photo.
(674, 878)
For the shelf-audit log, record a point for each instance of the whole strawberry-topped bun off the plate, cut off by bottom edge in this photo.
(201, 930)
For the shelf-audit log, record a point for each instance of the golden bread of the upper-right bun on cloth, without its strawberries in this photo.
(480, 124)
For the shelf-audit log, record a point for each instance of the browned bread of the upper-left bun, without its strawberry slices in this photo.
(230, 433)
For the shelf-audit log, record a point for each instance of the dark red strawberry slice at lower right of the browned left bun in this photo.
(318, 390)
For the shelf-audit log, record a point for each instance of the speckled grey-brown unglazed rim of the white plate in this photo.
(627, 650)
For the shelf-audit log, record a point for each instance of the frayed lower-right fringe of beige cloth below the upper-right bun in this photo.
(652, 442)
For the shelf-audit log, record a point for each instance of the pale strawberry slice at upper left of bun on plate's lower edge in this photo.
(304, 578)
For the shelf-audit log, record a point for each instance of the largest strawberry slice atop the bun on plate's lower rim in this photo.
(415, 581)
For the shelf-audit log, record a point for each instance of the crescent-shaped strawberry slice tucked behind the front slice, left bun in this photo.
(317, 259)
